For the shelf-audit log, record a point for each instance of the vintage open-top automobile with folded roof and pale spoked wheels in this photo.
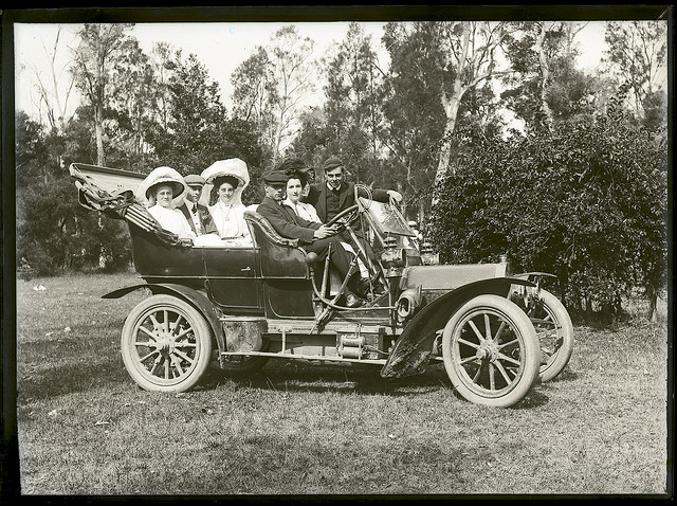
(494, 333)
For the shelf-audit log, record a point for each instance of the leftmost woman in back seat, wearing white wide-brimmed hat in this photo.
(163, 189)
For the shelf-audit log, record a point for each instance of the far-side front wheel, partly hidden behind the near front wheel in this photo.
(555, 333)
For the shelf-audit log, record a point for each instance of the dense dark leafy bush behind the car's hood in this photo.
(585, 200)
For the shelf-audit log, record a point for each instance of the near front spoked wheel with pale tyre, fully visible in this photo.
(491, 352)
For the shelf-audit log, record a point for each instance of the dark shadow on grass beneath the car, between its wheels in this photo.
(336, 378)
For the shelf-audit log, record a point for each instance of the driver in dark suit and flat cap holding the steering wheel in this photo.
(312, 236)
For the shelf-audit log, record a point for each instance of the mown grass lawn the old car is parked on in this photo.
(299, 428)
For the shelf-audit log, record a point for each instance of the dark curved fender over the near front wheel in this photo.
(415, 345)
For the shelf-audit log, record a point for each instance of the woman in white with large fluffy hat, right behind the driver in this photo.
(225, 181)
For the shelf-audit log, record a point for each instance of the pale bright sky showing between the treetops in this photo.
(221, 47)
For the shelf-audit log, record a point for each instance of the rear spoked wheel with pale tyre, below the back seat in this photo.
(166, 344)
